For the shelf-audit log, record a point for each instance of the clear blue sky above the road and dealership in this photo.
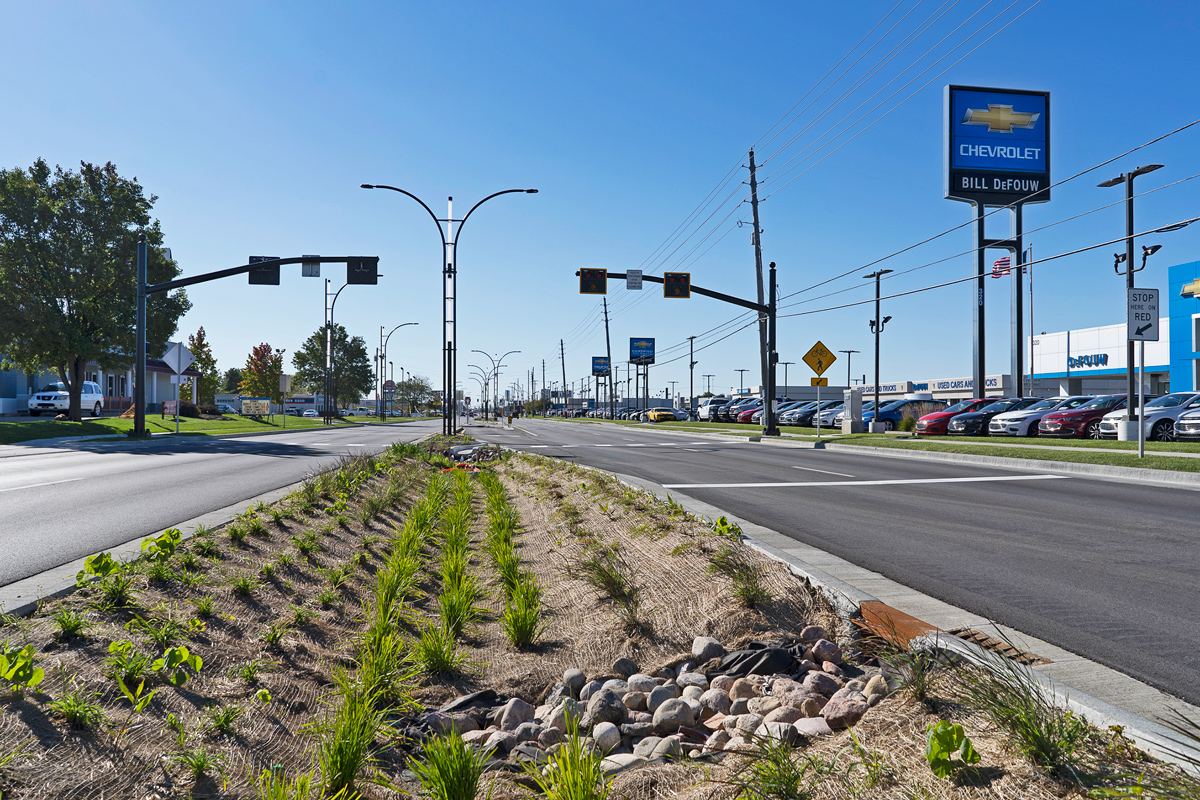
(255, 124)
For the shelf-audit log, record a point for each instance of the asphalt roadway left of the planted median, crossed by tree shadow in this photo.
(59, 503)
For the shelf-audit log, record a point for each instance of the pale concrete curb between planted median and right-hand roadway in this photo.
(848, 600)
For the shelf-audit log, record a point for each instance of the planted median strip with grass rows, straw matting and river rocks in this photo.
(385, 629)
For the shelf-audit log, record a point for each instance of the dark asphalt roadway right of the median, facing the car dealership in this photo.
(1107, 570)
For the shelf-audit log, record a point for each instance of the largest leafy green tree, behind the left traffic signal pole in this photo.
(69, 272)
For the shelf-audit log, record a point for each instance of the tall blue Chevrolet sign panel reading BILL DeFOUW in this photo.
(998, 146)
